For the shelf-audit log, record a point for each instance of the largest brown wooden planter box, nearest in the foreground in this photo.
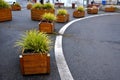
(34, 63)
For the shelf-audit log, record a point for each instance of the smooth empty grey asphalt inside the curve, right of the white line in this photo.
(92, 48)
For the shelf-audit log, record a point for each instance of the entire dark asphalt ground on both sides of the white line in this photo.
(90, 46)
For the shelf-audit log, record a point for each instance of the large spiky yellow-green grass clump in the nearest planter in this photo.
(35, 42)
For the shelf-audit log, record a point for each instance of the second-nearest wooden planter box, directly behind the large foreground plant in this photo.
(46, 27)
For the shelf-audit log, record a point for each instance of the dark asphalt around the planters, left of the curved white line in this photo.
(10, 31)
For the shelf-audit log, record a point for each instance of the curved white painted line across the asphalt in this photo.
(63, 68)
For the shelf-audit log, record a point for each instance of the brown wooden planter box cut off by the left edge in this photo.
(5, 14)
